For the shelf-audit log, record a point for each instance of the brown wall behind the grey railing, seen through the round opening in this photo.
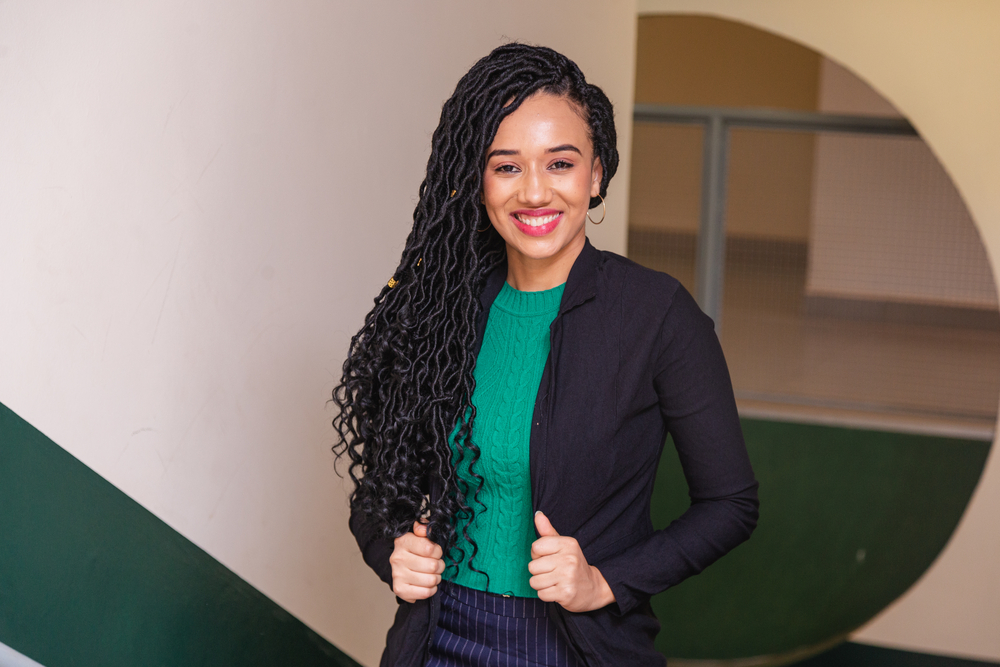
(696, 60)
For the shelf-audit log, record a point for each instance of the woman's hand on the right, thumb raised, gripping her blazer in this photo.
(561, 572)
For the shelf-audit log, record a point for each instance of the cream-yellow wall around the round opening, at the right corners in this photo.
(938, 62)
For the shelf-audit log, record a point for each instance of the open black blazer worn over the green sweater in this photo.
(632, 358)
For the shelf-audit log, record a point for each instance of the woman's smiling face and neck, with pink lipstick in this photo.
(539, 178)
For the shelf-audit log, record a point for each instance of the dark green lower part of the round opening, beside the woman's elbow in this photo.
(849, 520)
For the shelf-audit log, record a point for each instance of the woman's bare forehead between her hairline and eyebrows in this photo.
(543, 120)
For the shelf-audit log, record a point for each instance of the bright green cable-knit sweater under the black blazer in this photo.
(508, 372)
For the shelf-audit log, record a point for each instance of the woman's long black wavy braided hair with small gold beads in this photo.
(408, 379)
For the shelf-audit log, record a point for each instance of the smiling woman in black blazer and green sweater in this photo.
(506, 401)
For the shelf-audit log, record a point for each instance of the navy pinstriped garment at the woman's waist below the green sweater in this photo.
(477, 629)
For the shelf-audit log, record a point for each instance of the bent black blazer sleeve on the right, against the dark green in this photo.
(697, 403)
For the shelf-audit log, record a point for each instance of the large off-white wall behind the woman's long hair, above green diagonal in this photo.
(198, 202)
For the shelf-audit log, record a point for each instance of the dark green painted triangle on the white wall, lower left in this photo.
(89, 578)
